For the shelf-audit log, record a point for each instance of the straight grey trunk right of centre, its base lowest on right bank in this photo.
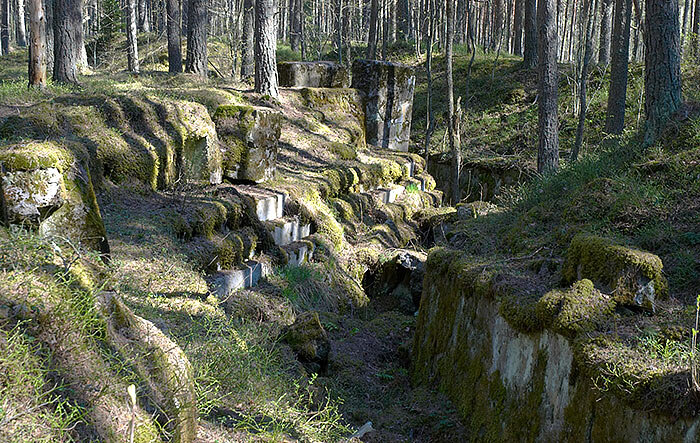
(548, 148)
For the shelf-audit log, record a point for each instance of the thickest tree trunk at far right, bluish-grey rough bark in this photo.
(662, 70)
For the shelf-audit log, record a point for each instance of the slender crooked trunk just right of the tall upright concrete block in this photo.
(452, 116)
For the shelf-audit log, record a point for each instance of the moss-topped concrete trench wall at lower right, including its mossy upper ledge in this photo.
(521, 366)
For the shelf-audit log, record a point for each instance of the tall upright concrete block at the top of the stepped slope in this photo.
(388, 88)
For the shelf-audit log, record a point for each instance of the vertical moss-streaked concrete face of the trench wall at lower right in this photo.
(511, 386)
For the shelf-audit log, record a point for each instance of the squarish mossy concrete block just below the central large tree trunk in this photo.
(250, 137)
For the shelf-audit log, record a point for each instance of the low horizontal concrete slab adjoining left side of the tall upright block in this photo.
(321, 74)
